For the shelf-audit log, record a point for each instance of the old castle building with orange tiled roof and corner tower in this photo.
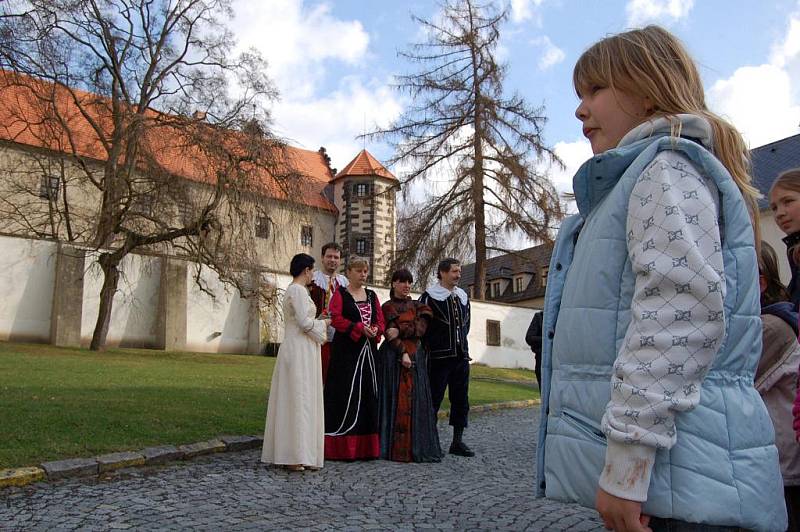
(355, 207)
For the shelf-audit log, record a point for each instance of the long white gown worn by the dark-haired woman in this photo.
(295, 427)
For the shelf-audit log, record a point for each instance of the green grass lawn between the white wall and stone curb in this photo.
(62, 403)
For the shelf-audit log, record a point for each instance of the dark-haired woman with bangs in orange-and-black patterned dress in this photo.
(407, 420)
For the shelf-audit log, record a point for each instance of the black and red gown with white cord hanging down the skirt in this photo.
(351, 389)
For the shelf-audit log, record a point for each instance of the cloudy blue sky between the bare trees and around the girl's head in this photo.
(333, 62)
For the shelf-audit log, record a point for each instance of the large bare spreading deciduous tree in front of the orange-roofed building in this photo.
(152, 133)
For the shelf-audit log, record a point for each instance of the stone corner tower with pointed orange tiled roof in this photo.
(364, 193)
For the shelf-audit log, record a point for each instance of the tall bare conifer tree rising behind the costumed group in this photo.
(460, 118)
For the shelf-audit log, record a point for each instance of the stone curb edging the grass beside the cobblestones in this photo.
(167, 453)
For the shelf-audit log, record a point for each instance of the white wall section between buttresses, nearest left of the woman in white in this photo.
(218, 324)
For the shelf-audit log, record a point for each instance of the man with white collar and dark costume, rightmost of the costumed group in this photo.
(446, 339)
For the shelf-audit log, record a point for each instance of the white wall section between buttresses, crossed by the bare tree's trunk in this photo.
(134, 312)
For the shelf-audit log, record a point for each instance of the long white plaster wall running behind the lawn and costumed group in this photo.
(220, 324)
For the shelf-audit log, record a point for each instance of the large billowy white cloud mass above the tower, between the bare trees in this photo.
(303, 43)
